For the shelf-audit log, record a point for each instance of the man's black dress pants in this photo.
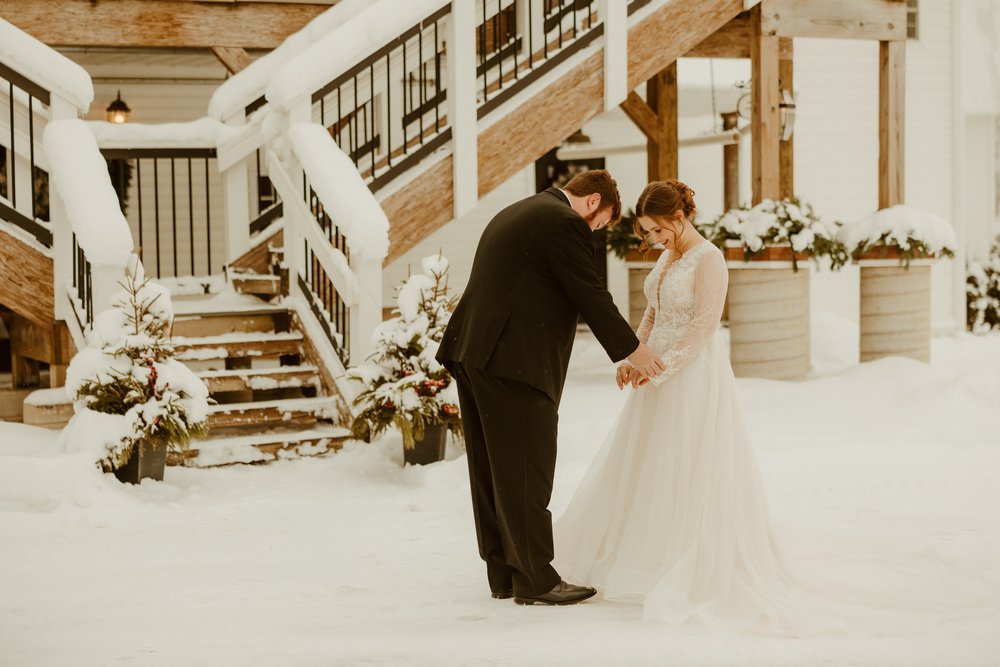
(510, 437)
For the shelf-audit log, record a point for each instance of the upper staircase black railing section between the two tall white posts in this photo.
(513, 54)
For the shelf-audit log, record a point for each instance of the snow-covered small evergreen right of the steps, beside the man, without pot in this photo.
(405, 385)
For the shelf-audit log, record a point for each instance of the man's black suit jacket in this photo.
(532, 278)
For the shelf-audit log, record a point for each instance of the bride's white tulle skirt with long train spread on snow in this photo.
(673, 515)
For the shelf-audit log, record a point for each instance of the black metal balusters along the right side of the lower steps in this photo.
(328, 306)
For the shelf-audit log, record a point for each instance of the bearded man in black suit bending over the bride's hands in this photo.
(508, 346)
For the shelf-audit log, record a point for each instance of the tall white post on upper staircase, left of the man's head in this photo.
(461, 66)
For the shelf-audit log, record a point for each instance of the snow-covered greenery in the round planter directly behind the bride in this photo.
(788, 222)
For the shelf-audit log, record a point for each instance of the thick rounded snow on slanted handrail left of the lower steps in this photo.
(80, 177)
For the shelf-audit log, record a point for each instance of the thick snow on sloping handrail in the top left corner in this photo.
(45, 66)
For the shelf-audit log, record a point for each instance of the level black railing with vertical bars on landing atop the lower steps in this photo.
(176, 219)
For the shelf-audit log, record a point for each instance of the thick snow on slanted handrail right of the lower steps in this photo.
(345, 197)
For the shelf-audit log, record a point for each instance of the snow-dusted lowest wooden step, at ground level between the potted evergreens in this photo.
(262, 448)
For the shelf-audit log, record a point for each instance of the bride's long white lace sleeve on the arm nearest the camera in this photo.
(711, 280)
